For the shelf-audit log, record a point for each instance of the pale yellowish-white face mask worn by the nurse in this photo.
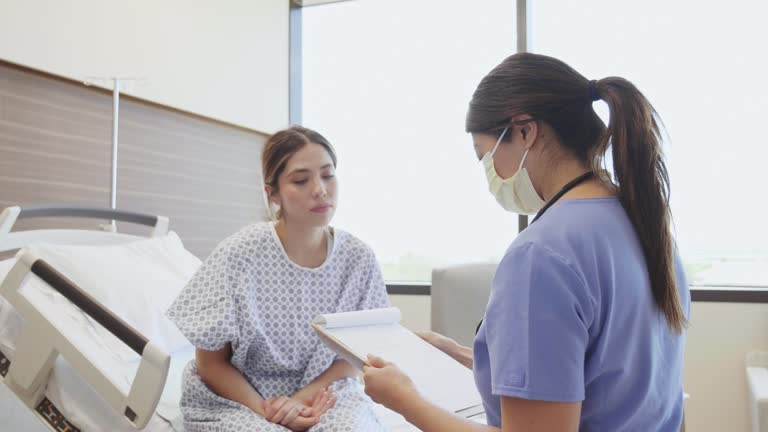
(515, 194)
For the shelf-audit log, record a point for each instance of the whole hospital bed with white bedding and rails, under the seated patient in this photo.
(71, 360)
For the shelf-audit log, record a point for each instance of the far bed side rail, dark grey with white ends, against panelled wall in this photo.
(10, 215)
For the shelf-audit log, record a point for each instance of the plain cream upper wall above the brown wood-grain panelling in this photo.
(224, 60)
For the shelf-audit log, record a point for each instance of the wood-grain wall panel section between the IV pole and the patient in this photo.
(207, 180)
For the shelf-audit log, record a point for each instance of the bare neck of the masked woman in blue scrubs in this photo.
(563, 172)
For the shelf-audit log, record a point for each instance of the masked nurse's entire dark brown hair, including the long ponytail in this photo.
(552, 92)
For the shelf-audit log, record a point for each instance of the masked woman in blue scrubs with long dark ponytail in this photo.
(585, 325)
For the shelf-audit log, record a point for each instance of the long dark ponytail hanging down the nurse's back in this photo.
(638, 166)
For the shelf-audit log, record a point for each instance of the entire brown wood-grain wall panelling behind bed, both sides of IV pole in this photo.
(55, 148)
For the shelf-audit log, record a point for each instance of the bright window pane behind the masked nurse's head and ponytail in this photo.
(702, 66)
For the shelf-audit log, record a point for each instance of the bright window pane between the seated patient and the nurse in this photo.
(388, 82)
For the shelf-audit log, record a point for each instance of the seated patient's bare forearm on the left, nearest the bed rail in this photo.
(226, 381)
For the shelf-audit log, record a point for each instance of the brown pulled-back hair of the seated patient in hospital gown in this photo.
(282, 145)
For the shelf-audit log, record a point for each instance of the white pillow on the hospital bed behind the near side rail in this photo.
(137, 281)
